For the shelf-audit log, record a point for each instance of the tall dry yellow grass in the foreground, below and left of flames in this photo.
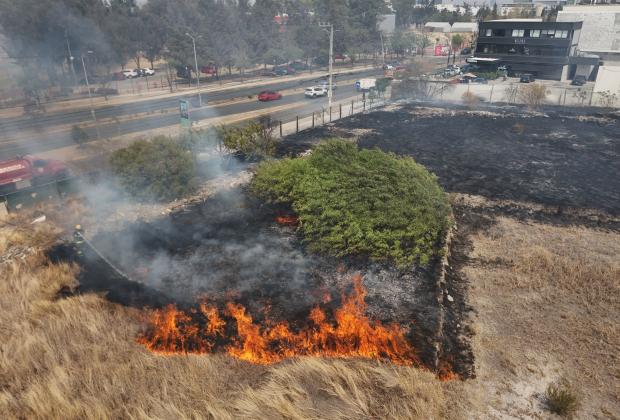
(76, 358)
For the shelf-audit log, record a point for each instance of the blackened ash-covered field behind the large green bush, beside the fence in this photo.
(559, 157)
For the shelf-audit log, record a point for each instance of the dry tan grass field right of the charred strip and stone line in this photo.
(547, 302)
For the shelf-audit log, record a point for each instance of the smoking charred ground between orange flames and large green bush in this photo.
(230, 248)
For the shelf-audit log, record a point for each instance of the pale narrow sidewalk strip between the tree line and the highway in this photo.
(99, 101)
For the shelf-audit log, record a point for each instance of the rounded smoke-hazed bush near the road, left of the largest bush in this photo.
(159, 169)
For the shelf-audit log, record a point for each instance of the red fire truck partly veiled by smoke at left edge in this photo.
(26, 171)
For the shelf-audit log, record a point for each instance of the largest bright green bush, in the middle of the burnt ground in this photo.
(364, 203)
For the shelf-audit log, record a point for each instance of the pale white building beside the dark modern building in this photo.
(601, 26)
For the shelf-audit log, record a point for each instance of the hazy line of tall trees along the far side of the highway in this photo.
(43, 35)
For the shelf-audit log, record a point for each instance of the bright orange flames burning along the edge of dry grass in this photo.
(233, 330)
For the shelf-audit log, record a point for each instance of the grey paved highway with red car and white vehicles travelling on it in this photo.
(31, 135)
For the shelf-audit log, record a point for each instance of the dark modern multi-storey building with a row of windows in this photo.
(548, 50)
